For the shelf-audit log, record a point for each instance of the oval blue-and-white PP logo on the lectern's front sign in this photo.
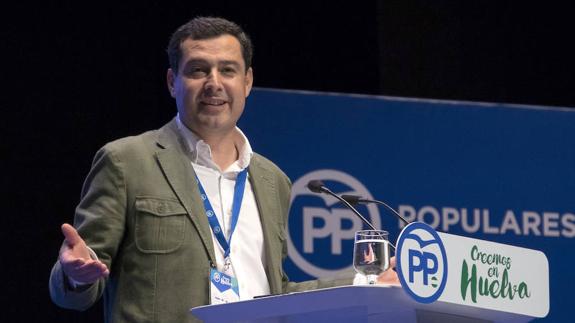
(421, 262)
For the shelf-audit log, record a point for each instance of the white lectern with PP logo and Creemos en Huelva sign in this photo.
(444, 278)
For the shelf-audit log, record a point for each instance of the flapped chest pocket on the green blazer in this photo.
(160, 225)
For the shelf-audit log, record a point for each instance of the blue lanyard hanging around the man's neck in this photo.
(236, 206)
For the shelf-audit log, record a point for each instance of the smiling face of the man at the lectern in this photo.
(211, 85)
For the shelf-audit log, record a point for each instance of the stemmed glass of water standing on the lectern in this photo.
(371, 253)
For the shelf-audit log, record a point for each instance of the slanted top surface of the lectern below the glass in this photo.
(349, 304)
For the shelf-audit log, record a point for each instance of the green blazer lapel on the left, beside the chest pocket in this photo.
(175, 164)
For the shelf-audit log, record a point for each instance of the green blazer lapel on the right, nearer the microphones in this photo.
(263, 185)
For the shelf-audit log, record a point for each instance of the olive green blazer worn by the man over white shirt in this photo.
(142, 214)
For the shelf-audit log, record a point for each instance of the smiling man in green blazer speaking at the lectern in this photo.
(155, 207)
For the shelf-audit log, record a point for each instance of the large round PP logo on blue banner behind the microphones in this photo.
(321, 230)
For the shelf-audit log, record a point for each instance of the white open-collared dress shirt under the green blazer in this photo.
(247, 246)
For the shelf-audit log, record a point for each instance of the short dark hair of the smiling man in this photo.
(205, 28)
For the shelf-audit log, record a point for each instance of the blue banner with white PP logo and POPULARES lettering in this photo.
(502, 173)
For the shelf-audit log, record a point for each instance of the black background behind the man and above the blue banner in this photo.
(76, 75)
